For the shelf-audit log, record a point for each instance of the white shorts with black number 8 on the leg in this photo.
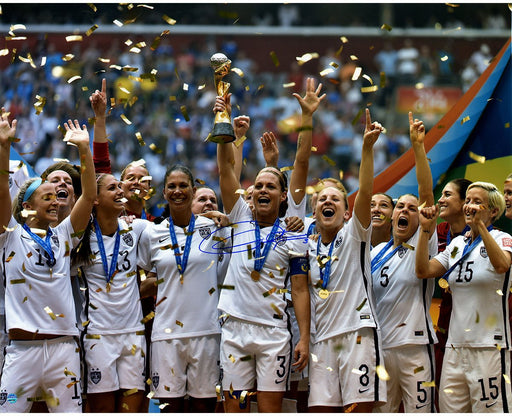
(342, 370)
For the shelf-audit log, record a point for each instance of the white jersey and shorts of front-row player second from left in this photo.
(113, 336)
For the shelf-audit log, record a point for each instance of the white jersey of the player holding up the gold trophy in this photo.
(261, 301)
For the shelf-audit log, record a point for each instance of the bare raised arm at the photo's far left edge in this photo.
(7, 132)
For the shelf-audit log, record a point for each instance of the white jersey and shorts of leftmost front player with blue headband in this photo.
(38, 299)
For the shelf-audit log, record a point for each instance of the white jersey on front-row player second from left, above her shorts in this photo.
(115, 309)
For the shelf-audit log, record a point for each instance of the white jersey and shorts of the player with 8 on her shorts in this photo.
(346, 349)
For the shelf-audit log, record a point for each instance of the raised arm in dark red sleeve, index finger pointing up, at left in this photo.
(101, 157)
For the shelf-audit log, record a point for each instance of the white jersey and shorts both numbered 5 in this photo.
(403, 311)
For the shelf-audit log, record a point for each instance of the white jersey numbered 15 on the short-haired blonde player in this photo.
(480, 295)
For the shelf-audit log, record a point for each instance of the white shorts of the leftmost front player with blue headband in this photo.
(47, 369)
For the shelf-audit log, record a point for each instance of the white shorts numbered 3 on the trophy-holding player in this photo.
(251, 352)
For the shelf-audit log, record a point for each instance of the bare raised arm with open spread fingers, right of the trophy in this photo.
(308, 104)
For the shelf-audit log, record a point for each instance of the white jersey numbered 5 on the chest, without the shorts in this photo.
(403, 300)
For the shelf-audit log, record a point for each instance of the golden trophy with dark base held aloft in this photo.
(222, 129)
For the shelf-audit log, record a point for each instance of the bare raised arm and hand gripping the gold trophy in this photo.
(228, 179)
